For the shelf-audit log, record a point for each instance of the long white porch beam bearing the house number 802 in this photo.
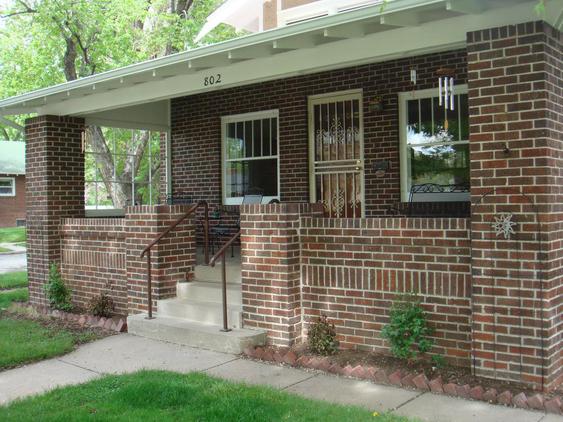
(387, 45)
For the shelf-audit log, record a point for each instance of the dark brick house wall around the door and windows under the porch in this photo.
(196, 126)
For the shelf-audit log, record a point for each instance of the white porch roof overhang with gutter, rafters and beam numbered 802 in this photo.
(137, 96)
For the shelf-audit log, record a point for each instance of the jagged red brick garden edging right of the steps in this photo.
(421, 375)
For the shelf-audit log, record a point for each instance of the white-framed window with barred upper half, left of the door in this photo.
(250, 156)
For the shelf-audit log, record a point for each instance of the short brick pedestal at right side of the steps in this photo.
(271, 273)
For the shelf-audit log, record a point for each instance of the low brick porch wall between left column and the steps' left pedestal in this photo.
(93, 260)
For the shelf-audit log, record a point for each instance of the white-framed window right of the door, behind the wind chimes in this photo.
(430, 152)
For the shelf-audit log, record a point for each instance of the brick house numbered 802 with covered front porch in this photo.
(387, 181)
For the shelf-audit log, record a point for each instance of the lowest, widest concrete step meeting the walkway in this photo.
(188, 333)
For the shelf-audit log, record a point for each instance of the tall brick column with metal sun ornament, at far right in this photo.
(515, 94)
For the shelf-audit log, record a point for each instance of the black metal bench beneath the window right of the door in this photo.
(432, 200)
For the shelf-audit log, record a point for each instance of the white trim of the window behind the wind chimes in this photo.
(404, 157)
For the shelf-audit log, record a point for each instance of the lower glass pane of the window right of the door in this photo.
(442, 165)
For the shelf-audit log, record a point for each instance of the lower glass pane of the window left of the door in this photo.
(252, 176)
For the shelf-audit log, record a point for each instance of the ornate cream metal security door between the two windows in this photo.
(337, 153)
